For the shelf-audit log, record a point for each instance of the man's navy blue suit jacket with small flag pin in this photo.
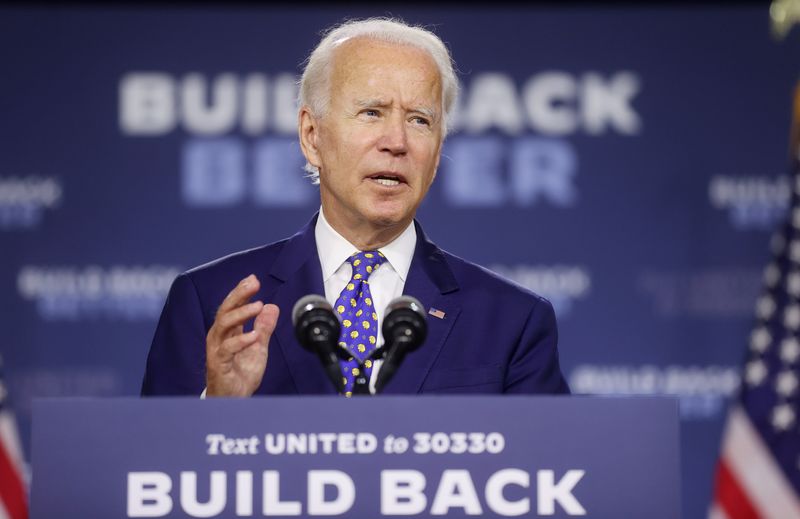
(495, 337)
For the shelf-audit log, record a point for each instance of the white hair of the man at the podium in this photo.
(315, 87)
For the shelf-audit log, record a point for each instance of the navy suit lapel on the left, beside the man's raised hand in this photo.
(298, 273)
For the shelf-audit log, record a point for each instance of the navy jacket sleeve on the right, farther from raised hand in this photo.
(534, 366)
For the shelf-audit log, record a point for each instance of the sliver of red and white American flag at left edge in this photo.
(13, 501)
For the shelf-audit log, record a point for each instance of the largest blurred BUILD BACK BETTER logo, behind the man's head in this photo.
(510, 144)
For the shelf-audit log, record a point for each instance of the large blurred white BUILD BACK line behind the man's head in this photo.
(550, 102)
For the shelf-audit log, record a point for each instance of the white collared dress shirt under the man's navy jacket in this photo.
(385, 283)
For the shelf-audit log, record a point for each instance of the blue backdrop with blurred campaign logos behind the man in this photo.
(627, 163)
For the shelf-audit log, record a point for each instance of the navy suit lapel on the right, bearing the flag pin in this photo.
(432, 282)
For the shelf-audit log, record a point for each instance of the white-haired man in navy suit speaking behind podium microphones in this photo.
(375, 97)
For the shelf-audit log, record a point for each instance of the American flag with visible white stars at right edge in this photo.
(758, 473)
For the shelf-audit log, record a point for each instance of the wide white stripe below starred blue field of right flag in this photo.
(752, 465)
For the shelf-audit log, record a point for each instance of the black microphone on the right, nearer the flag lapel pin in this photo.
(404, 329)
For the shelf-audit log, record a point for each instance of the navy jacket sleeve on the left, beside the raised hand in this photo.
(176, 364)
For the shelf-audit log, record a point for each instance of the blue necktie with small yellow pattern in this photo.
(357, 314)
